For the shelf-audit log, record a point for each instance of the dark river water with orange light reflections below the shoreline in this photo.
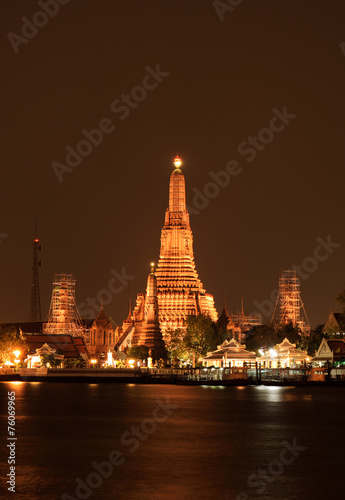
(208, 443)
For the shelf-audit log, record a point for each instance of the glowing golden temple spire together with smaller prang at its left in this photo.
(174, 290)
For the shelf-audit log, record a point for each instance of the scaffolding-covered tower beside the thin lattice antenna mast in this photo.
(63, 316)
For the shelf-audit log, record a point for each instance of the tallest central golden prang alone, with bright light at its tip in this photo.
(180, 293)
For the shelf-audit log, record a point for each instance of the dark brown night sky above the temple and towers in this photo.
(224, 79)
